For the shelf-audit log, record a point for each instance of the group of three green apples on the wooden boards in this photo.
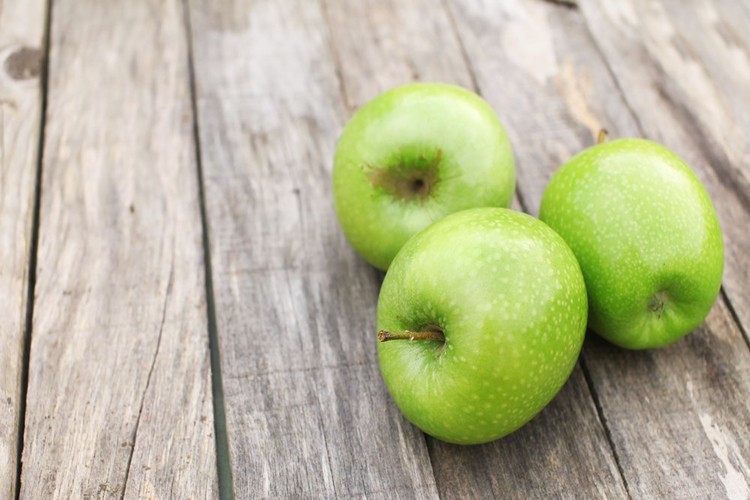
(483, 310)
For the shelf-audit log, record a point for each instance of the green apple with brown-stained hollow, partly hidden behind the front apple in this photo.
(413, 155)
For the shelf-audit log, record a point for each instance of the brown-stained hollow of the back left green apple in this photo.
(407, 180)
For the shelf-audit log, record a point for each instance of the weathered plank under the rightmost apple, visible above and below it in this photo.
(555, 66)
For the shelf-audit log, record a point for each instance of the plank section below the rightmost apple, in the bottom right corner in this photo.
(679, 416)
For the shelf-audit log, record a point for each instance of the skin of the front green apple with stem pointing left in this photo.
(509, 297)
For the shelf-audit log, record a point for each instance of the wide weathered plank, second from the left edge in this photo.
(119, 395)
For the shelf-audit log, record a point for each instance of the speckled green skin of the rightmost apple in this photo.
(646, 236)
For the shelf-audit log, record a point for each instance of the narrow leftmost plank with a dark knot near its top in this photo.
(21, 59)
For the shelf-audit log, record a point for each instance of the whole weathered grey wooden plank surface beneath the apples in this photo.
(200, 328)
